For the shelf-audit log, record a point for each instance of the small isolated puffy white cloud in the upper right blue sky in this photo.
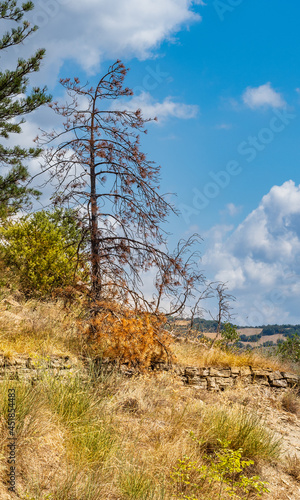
(263, 96)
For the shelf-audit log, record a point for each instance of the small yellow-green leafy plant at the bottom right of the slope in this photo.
(221, 475)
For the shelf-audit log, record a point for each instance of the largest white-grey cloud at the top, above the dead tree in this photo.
(96, 30)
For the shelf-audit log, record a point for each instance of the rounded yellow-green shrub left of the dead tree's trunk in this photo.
(41, 250)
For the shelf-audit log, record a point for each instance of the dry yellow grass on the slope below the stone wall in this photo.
(118, 438)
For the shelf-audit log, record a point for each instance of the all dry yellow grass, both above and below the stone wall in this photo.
(107, 438)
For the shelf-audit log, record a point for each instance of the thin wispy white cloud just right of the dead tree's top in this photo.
(161, 110)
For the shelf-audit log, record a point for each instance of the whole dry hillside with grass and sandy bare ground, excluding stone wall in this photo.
(105, 436)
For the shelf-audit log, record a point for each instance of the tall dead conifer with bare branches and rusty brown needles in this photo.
(97, 166)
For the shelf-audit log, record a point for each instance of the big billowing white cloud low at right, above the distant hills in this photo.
(260, 259)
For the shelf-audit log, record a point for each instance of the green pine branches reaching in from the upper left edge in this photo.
(15, 102)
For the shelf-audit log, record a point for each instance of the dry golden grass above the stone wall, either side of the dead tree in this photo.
(44, 328)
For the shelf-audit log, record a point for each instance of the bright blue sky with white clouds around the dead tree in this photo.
(223, 78)
